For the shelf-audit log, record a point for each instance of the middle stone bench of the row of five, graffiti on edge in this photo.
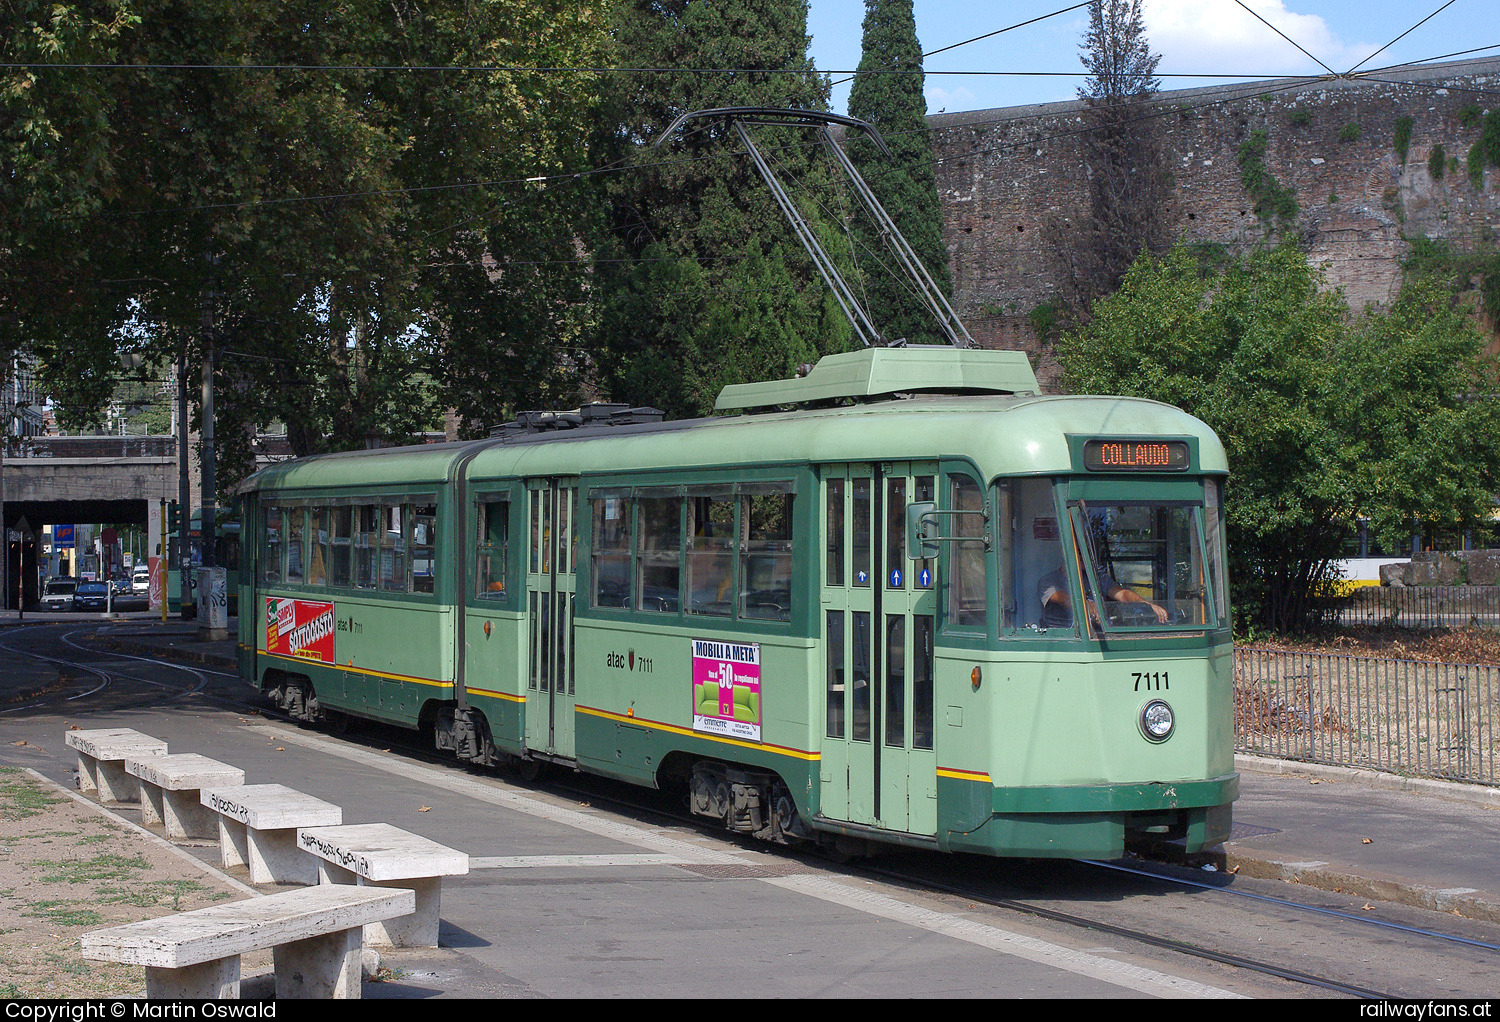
(259, 829)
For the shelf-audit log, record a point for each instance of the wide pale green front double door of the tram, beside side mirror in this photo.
(878, 616)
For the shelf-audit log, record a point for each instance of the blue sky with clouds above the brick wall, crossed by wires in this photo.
(1202, 43)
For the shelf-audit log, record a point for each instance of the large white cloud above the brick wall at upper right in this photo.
(1222, 38)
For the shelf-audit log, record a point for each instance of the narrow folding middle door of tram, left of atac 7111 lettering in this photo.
(551, 573)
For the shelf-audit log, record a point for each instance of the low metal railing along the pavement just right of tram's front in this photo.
(1406, 717)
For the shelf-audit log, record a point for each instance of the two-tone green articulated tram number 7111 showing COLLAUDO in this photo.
(901, 600)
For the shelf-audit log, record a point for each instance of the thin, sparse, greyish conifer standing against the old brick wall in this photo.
(1129, 182)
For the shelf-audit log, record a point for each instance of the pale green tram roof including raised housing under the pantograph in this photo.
(911, 404)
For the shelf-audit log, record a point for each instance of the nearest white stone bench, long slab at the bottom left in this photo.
(314, 936)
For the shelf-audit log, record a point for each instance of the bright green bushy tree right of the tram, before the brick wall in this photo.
(1325, 416)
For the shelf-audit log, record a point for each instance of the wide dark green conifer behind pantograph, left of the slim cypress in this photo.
(701, 281)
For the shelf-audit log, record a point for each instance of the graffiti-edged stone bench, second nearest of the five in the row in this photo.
(385, 856)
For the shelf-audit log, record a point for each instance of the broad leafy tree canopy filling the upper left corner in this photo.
(302, 182)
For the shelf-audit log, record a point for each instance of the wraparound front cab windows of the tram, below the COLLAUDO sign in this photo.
(1132, 565)
